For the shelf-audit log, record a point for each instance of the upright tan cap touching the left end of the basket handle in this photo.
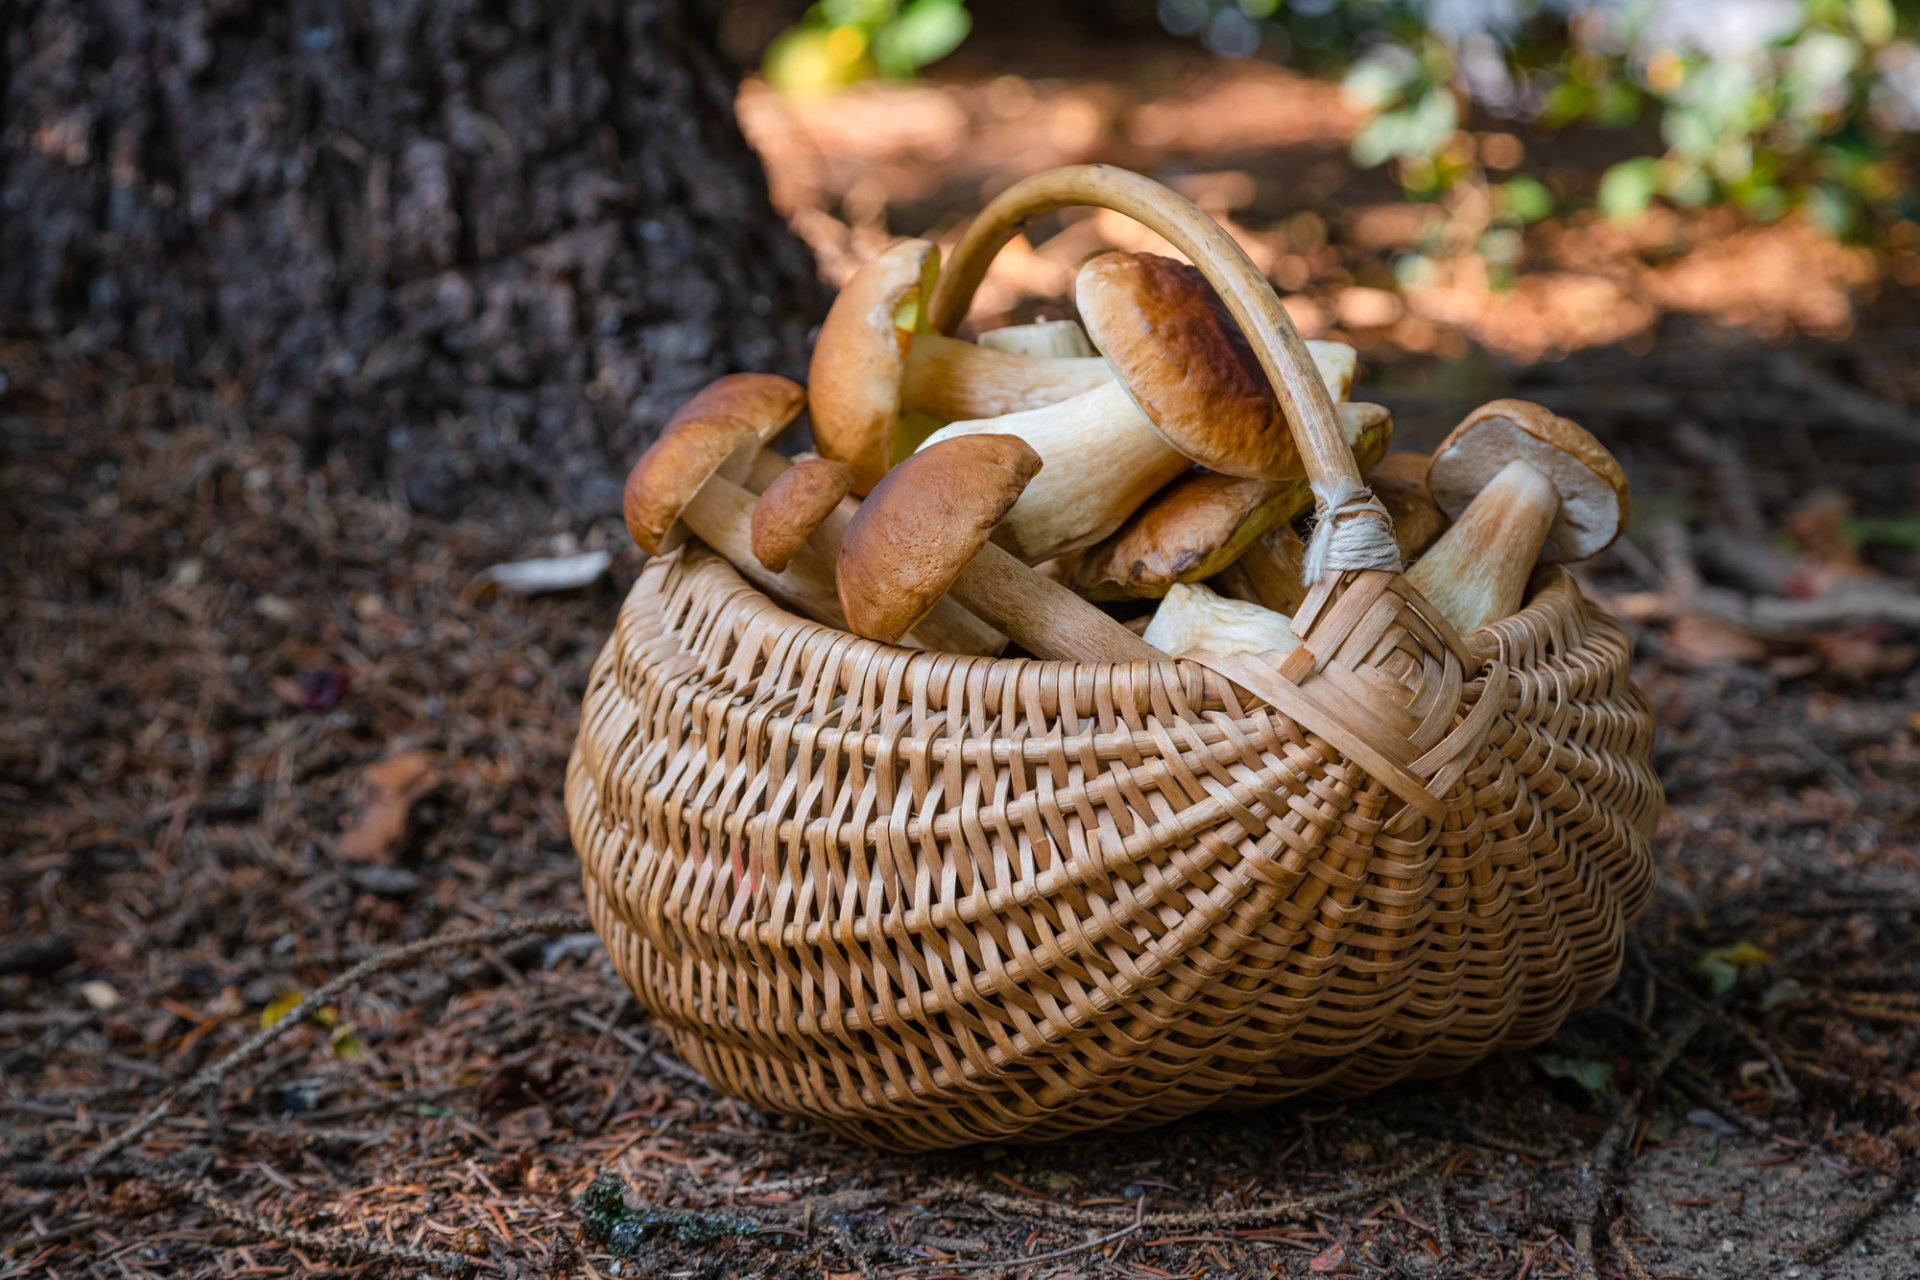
(861, 358)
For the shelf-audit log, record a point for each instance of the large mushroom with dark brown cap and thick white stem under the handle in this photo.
(1189, 392)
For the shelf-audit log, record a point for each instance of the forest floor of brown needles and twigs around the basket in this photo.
(256, 724)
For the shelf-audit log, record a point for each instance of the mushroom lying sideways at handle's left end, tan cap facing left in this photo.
(876, 364)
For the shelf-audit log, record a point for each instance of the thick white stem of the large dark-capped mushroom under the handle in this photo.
(1101, 460)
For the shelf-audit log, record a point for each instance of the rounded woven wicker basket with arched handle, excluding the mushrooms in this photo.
(930, 899)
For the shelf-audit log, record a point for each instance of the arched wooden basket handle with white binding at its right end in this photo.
(1353, 533)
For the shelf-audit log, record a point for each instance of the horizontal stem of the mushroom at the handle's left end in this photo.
(949, 379)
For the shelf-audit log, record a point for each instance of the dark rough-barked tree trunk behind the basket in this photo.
(471, 245)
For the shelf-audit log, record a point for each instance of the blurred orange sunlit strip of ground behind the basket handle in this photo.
(1260, 151)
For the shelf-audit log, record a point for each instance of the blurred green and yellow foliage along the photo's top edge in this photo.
(1762, 105)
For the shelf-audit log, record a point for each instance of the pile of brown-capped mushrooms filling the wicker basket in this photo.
(1111, 490)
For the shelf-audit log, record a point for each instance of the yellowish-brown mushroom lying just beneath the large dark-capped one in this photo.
(1203, 523)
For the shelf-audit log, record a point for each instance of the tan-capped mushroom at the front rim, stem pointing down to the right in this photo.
(924, 533)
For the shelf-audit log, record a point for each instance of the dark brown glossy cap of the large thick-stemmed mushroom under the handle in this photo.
(1182, 358)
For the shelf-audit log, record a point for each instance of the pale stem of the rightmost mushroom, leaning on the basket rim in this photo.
(1477, 573)
